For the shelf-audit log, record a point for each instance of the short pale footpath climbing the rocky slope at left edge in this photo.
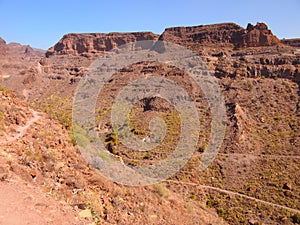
(21, 130)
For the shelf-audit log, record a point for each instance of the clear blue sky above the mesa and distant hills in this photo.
(42, 23)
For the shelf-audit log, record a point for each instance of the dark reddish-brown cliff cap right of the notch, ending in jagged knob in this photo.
(224, 33)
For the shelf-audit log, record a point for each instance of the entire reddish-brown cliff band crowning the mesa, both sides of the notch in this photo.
(226, 34)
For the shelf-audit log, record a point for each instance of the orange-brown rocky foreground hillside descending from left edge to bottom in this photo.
(46, 163)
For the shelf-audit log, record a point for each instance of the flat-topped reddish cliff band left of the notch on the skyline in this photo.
(93, 43)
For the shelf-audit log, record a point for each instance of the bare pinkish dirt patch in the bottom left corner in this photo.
(22, 203)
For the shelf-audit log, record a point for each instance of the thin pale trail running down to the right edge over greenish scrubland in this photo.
(236, 194)
